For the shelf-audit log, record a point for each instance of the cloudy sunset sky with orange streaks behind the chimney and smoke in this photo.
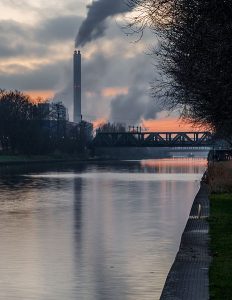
(37, 43)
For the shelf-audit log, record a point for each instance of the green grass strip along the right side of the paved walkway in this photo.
(220, 275)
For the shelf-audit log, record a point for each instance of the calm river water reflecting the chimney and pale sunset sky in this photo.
(93, 231)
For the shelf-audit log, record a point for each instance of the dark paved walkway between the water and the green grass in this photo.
(188, 277)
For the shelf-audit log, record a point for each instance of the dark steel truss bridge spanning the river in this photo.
(153, 139)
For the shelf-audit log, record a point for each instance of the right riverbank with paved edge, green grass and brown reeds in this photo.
(202, 267)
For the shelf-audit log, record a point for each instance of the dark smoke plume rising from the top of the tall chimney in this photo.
(94, 25)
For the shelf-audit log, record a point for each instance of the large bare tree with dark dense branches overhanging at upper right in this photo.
(194, 57)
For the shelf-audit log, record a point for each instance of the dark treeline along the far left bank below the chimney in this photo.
(28, 127)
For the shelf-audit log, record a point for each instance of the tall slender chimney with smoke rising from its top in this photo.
(77, 87)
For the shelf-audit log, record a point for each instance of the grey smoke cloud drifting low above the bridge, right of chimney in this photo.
(138, 104)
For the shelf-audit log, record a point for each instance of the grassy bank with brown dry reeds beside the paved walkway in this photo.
(220, 275)
